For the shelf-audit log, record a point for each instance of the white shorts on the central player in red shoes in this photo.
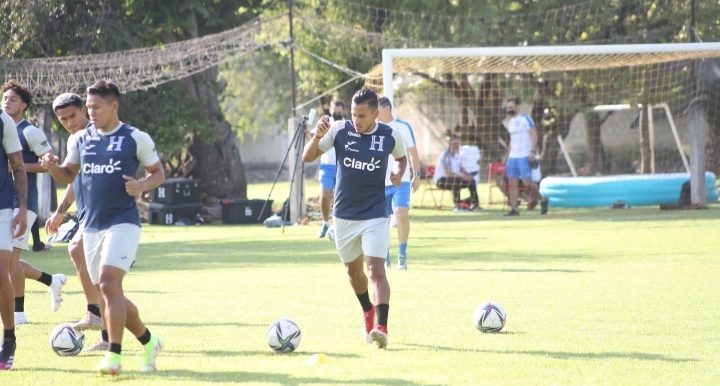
(361, 237)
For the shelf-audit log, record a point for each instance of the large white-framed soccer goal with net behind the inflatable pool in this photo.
(612, 110)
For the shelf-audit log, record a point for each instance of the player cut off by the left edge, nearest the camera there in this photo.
(10, 227)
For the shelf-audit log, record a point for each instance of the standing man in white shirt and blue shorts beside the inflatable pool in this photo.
(521, 153)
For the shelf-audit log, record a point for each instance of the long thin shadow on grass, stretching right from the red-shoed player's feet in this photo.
(566, 354)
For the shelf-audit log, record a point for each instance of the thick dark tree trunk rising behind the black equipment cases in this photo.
(218, 165)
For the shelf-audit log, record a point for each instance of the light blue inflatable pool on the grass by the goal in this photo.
(633, 189)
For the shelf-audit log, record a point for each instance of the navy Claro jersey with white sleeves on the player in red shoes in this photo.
(362, 161)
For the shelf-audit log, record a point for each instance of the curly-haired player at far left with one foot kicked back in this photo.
(16, 100)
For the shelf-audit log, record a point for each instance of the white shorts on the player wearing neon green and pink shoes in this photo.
(115, 246)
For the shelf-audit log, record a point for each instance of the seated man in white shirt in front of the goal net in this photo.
(450, 175)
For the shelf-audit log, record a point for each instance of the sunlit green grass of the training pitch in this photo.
(592, 297)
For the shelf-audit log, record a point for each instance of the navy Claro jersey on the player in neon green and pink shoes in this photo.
(104, 158)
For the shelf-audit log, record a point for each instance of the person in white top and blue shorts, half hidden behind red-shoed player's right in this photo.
(398, 198)
